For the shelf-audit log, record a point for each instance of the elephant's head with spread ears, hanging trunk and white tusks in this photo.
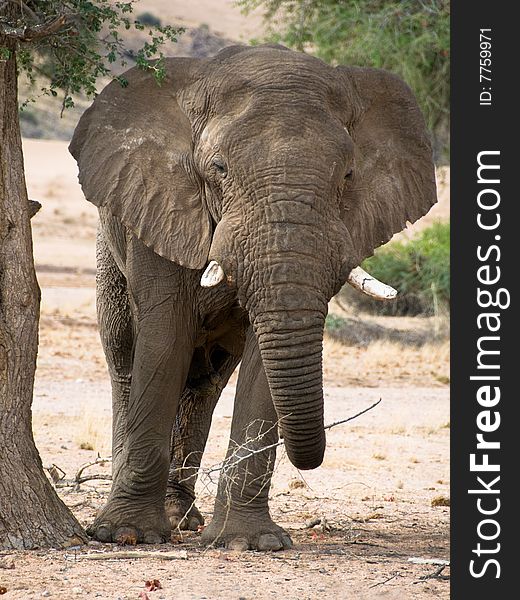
(282, 173)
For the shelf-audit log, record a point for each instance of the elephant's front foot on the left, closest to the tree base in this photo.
(124, 524)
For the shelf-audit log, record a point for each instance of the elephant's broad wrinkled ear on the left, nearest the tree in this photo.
(133, 147)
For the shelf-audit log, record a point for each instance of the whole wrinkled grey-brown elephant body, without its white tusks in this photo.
(286, 171)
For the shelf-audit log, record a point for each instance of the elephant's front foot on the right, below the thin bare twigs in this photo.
(240, 533)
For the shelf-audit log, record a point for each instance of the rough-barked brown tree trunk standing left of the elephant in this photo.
(31, 514)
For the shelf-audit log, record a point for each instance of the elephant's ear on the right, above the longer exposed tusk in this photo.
(393, 179)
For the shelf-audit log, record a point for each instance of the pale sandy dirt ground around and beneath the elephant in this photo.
(380, 501)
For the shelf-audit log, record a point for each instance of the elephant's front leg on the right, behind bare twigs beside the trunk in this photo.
(241, 519)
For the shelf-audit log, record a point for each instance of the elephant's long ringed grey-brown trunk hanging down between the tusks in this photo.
(285, 295)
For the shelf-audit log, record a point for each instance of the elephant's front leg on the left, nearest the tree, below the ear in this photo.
(162, 353)
